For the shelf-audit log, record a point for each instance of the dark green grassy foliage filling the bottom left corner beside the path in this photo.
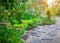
(10, 36)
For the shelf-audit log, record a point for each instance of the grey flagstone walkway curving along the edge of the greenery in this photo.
(44, 34)
